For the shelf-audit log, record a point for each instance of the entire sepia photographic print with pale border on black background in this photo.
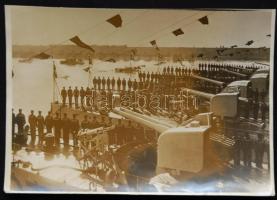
(139, 101)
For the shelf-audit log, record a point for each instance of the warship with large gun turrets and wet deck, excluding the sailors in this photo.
(165, 154)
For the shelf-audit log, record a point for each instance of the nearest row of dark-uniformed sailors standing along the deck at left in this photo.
(63, 127)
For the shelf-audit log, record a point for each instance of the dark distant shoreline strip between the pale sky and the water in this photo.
(144, 53)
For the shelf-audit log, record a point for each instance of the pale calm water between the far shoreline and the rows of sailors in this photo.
(33, 83)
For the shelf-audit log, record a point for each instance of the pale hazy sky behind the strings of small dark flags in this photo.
(45, 26)
